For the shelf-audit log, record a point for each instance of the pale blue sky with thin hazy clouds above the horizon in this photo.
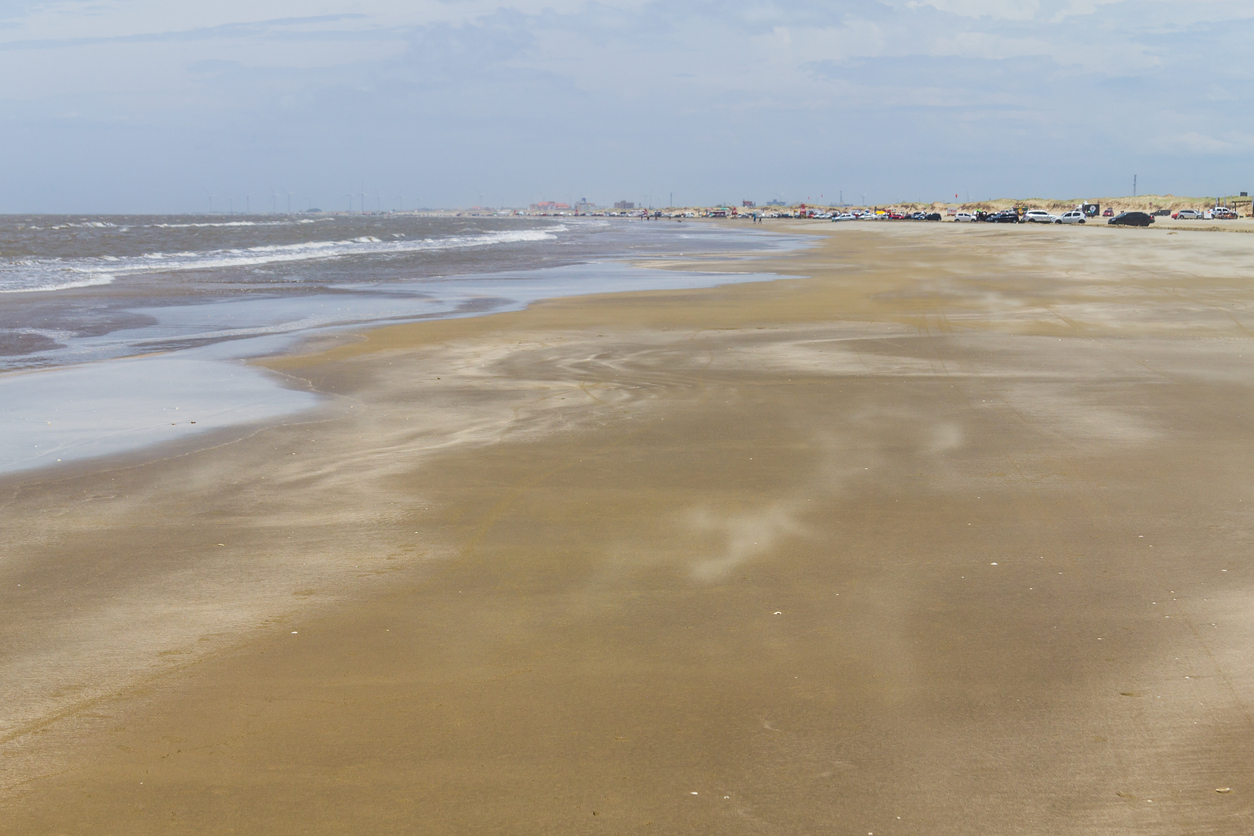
(172, 106)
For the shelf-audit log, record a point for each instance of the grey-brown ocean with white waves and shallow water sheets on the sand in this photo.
(116, 332)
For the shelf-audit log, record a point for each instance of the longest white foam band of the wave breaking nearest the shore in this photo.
(56, 275)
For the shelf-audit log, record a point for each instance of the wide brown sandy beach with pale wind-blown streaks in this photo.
(950, 536)
